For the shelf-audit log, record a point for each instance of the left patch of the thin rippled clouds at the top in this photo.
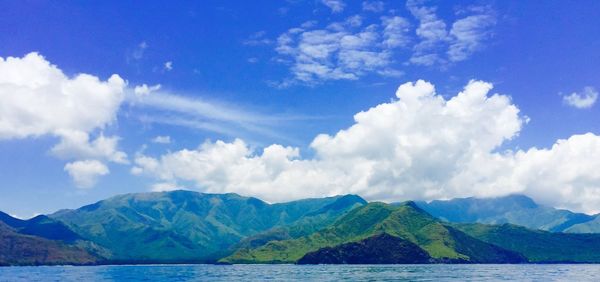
(341, 51)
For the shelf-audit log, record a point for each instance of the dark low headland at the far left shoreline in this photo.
(22, 249)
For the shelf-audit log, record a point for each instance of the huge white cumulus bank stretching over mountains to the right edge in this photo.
(418, 146)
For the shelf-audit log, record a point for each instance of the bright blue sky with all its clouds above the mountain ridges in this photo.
(283, 100)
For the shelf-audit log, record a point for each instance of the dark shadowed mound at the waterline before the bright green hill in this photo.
(378, 249)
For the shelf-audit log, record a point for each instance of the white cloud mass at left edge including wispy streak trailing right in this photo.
(38, 99)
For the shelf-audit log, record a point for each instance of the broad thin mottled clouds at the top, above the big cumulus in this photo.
(354, 48)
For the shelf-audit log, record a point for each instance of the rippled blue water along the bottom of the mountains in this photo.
(438, 272)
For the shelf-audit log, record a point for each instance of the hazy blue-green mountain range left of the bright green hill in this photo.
(185, 226)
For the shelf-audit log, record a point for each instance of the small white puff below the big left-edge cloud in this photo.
(85, 173)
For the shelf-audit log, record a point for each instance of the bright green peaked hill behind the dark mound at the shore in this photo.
(441, 242)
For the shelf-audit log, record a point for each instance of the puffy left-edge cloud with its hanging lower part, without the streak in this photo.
(39, 99)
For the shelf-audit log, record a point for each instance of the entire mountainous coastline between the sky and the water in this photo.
(191, 227)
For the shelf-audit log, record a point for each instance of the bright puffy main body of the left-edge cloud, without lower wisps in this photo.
(38, 99)
